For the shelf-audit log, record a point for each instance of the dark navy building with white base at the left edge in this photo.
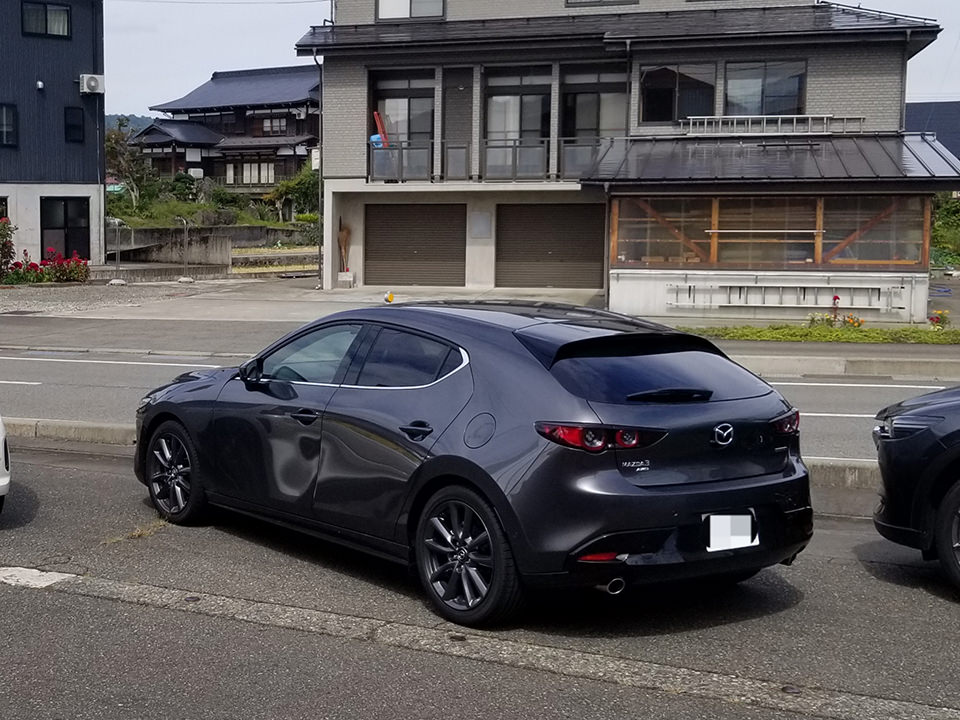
(52, 125)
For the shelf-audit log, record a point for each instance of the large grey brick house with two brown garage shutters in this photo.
(745, 157)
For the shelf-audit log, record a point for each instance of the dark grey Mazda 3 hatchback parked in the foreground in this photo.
(495, 447)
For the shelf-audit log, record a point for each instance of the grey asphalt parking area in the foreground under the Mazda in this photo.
(235, 618)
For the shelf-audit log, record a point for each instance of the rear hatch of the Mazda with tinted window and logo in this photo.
(714, 419)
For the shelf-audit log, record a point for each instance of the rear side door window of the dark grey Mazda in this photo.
(402, 359)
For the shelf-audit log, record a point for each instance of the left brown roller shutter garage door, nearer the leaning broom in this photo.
(415, 245)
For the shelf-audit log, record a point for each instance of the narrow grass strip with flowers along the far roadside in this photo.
(794, 333)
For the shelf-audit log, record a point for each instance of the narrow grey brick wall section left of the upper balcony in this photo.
(345, 122)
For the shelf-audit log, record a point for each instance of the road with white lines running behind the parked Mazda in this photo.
(105, 387)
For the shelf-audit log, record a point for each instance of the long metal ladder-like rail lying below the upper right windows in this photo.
(770, 125)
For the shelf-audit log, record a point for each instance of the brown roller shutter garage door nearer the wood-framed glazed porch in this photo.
(550, 246)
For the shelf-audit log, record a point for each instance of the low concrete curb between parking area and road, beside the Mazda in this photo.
(839, 487)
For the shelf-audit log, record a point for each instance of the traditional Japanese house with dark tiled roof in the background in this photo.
(247, 129)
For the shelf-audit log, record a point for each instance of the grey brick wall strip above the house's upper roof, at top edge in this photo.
(360, 12)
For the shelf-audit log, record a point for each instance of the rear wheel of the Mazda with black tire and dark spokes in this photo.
(464, 560)
